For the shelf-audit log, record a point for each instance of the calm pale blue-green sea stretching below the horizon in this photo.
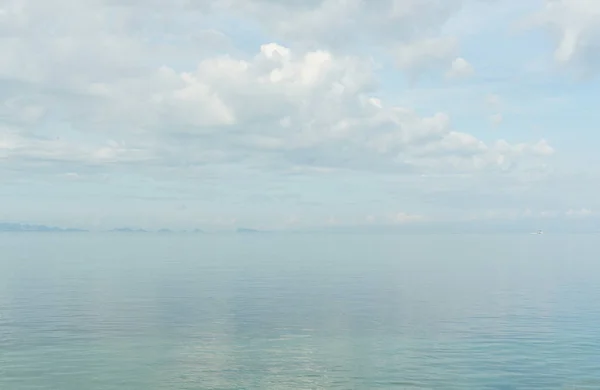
(86, 311)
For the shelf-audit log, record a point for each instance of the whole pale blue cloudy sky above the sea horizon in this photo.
(298, 114)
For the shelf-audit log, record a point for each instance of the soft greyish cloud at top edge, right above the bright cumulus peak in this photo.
(410, 30)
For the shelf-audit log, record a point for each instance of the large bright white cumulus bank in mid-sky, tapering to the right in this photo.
(308, 108)
